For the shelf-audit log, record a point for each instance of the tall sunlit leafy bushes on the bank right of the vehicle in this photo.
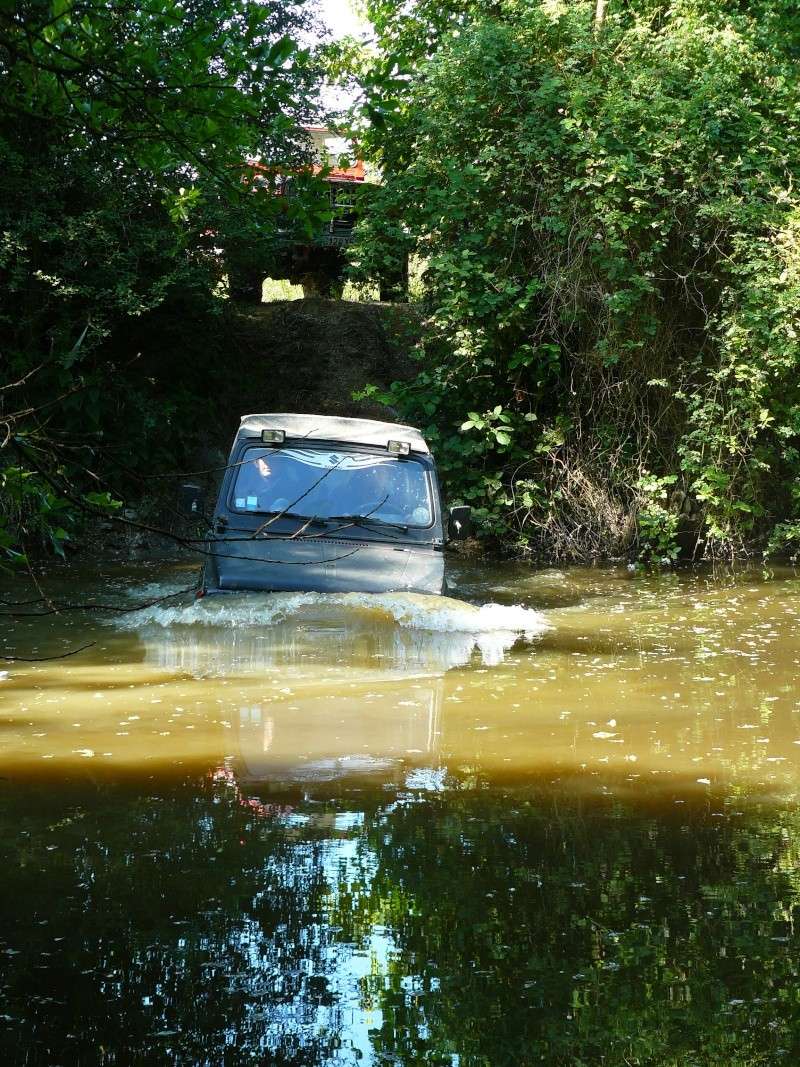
(612, 233)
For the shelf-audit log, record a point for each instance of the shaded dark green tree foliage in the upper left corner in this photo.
(126, 135)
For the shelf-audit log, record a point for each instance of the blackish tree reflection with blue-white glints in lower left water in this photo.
(174, 927)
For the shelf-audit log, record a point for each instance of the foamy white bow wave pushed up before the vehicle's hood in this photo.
(250, 632)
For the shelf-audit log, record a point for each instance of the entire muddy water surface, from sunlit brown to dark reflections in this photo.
(552, 819)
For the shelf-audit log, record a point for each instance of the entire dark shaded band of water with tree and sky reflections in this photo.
(475, 926)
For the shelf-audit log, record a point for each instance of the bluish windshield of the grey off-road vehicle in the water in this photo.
(330, 485)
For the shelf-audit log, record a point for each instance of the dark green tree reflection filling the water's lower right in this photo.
(535, 928)
